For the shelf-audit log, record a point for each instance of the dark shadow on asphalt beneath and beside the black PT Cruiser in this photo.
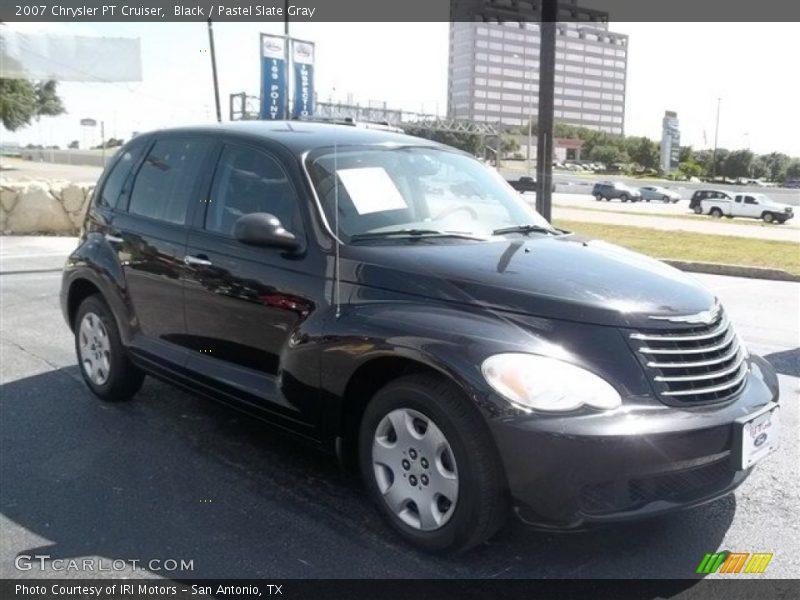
(173, 476)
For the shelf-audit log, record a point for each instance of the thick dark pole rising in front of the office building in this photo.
(544, 141)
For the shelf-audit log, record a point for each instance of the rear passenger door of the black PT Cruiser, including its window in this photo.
(149, 233)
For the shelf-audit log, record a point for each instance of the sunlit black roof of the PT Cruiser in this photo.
(301, 136)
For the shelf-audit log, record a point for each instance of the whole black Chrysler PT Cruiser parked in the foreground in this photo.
(396, 302)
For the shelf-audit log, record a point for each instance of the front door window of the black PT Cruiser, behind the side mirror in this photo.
(248, 181)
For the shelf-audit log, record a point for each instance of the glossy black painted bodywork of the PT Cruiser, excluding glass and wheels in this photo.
(259, 329)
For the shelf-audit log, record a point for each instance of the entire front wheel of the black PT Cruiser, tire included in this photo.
(466, 471)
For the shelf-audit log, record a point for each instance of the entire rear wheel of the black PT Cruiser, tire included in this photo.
(102, 359)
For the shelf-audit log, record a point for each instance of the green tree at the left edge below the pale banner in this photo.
(22, 101)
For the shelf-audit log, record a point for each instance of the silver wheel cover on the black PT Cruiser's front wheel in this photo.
(415, 469)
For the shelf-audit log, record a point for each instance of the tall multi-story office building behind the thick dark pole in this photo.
(493, 73)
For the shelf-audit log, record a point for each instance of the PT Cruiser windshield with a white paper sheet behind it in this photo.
(417, 191)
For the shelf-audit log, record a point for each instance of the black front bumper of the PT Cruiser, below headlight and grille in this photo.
(568, 472)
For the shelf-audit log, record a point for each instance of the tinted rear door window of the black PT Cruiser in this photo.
(168, 179)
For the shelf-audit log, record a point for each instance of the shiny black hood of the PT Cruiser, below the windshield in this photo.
(565, 277)
